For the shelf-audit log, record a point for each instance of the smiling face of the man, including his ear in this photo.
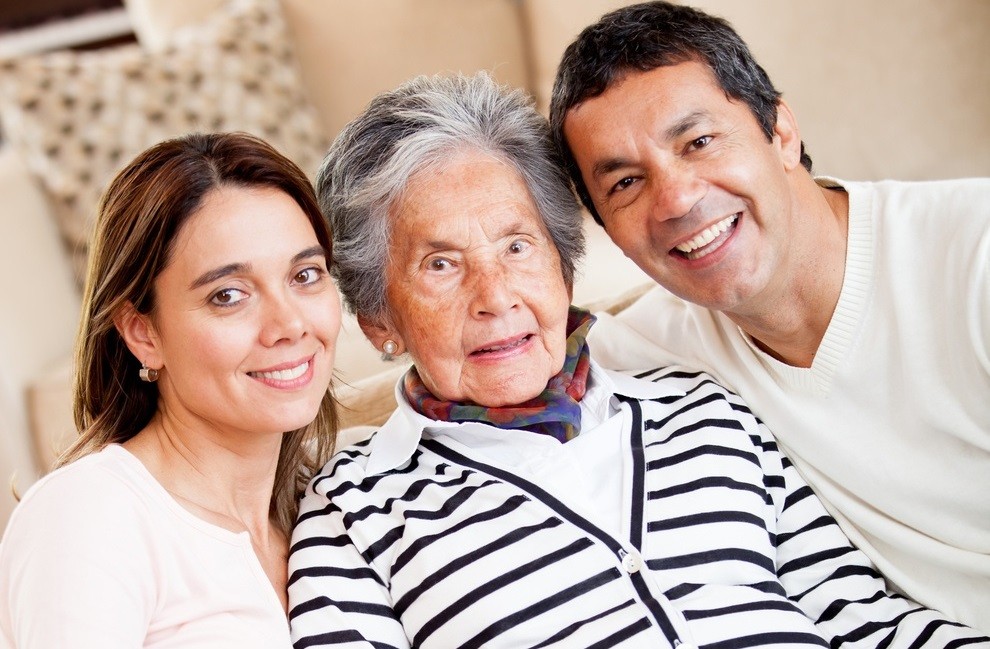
(688, 185)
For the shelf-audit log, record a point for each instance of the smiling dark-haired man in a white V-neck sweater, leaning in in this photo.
(854, 317)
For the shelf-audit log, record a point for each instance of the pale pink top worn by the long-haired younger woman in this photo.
(98, 554)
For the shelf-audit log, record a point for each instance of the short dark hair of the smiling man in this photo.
(645, 36)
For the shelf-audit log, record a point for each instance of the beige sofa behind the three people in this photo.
(880, 90)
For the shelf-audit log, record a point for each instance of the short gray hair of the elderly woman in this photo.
(413, 129)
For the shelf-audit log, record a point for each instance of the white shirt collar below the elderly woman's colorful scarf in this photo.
(396, 441)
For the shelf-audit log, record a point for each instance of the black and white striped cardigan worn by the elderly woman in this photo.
(728, 548)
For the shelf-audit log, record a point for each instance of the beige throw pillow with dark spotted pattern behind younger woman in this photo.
(78, 117)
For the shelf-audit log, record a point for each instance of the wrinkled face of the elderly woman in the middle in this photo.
(474, 284)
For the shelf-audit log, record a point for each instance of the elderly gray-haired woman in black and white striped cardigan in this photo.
(521, 496)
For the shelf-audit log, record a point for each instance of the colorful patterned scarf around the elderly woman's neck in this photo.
(555, 412)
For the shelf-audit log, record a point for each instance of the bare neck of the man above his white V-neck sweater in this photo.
(793, 320)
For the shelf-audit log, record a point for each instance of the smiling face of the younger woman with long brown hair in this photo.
(246, 316)
